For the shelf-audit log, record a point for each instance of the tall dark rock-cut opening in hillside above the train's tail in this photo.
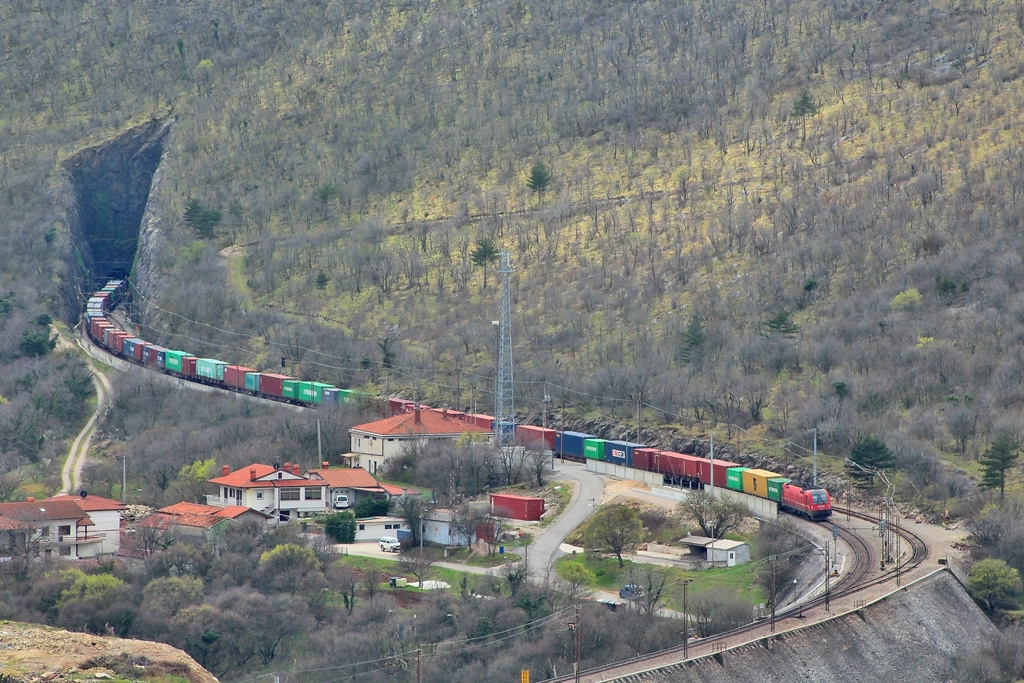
(112, 187)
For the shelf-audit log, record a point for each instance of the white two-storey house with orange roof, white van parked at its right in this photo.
(283, 493)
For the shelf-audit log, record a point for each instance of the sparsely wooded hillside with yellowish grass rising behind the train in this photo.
(781, 216)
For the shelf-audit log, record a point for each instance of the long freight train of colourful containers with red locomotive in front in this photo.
(677, 469)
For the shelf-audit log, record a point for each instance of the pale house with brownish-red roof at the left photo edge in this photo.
(48, 529)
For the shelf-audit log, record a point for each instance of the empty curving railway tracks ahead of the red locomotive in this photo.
(859, 578)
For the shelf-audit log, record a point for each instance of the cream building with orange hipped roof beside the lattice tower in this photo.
(374, 444)
